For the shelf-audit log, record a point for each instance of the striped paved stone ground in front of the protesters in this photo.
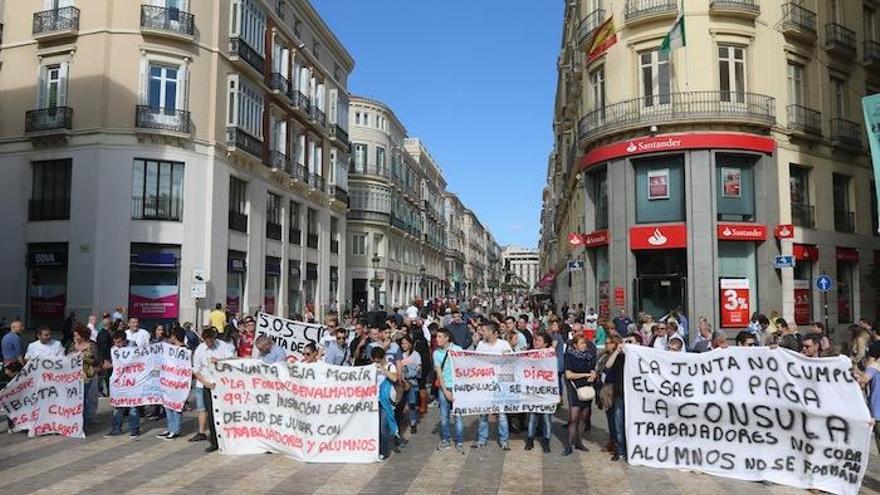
(55, 465)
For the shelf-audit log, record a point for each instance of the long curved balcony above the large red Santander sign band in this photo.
(720, 106)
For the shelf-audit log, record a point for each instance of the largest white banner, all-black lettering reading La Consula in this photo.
(748, 413)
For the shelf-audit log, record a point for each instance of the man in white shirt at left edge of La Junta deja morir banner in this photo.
(207, 353)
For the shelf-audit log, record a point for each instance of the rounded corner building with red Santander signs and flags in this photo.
(698, 167)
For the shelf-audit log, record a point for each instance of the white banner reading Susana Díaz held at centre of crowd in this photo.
(518, 382)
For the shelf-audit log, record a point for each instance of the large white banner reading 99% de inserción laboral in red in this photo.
(310, 412)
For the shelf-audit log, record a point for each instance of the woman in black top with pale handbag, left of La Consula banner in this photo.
(580, 365)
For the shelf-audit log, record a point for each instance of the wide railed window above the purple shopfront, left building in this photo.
(157, 190)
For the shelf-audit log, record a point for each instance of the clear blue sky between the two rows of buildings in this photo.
(476, 81)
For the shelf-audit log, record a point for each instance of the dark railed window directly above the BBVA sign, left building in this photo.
(50, 191)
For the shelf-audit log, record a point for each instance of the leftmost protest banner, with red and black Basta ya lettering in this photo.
(46, 397)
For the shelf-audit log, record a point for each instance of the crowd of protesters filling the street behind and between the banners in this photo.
(410, 348)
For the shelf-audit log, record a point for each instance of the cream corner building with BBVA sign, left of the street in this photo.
(147, 146)
